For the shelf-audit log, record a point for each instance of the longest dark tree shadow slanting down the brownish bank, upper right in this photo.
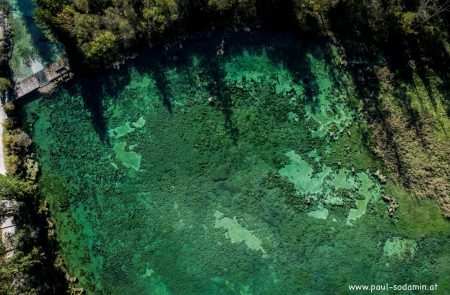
(363, 55)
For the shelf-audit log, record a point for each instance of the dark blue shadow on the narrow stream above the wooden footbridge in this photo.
(45, 47)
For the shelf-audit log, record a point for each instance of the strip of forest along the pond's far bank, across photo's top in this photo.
(105, 31)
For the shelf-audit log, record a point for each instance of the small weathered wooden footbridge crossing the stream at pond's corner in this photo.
(55, 72)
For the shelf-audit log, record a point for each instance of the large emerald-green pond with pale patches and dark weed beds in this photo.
(188, 172)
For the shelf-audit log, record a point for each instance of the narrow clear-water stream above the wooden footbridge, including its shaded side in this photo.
(32, 50)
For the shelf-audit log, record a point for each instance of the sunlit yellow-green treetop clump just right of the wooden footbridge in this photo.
(103, 30)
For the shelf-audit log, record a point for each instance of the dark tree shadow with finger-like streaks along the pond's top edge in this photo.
(280, 48)
